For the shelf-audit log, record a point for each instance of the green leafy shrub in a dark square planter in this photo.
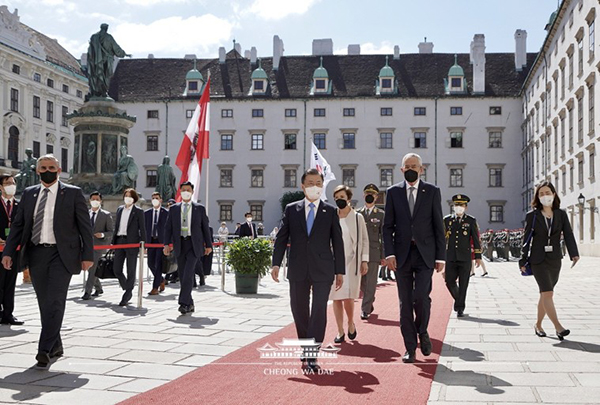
(250, 259)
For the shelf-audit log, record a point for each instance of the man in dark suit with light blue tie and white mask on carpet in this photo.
(316, 258)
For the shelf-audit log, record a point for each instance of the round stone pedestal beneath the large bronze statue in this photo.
(100, 130)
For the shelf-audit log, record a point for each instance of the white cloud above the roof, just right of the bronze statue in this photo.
(173, 36)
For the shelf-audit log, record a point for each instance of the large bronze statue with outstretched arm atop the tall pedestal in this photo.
(101, 52)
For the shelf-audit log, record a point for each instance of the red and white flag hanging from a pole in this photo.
(194, 147)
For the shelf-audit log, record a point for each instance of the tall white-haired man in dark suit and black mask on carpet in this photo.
(413, 234)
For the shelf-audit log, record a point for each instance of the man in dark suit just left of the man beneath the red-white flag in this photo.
(156, 218)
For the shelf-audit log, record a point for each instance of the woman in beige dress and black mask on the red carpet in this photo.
(356, 251)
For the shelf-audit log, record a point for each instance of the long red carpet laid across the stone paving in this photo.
(369, 369)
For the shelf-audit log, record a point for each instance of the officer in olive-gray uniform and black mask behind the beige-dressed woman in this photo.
(374, 220)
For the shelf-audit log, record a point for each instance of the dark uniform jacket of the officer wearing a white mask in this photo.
(460, 236)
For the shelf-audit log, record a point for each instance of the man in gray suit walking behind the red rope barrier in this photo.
(102, 227)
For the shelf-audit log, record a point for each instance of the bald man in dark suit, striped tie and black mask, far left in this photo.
(53, 228)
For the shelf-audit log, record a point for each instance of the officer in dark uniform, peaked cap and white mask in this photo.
(461, 230)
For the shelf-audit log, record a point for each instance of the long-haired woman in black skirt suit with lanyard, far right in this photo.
(544, 253)
